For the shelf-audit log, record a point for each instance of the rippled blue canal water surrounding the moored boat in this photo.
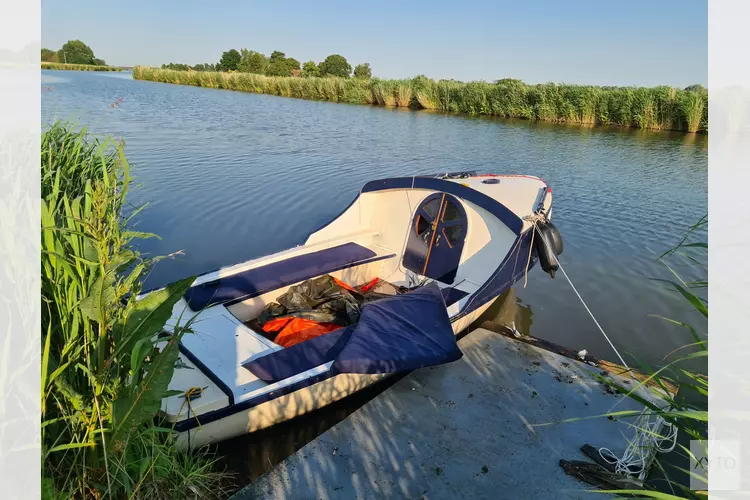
(230, 176)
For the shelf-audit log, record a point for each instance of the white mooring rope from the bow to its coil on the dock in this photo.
(647, 438)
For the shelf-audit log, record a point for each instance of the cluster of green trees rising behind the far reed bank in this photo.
(278, 64)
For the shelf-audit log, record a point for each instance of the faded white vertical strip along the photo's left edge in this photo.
(20, 322)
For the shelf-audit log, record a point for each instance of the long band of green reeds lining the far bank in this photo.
(657, 108)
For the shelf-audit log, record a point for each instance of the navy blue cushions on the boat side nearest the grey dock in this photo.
(393, 334)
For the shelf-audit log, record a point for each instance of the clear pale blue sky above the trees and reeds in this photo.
(599, 42)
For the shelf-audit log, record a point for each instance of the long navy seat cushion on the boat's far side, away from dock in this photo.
(259, 280)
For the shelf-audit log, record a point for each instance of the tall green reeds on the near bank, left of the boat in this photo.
(104, 371)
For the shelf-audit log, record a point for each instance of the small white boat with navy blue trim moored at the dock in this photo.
(452, 243)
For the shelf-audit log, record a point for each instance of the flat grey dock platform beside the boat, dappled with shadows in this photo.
(466, 429)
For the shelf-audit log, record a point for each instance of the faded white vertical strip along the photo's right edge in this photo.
(729, 241)
